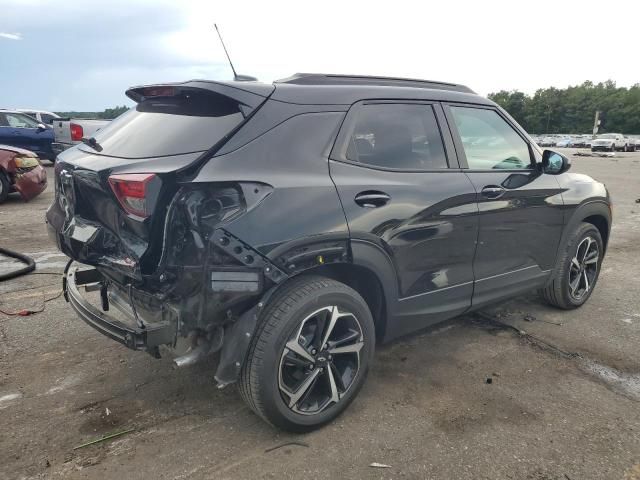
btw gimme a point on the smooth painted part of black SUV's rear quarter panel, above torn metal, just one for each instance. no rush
(304, 202)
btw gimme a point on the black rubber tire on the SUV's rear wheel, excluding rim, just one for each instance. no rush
(280, 323)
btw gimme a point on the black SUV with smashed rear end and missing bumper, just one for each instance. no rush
(289, 227)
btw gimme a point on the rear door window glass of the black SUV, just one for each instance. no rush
(396, 136)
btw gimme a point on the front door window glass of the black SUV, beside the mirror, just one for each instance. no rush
(489, 142)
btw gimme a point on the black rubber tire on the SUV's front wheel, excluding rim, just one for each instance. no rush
(558, 291)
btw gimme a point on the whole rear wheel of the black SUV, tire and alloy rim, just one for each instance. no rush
(310, 355)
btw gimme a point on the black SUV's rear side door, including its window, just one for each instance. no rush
(402, 191)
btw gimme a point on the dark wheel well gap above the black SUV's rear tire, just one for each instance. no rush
(363, 281)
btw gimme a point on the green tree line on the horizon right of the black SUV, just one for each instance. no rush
(572, 109)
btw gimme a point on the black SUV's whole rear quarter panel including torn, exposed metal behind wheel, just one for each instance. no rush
(223, 225)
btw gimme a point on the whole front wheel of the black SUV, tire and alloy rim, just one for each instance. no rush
(577, 271)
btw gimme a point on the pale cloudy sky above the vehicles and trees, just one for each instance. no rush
(58, 55)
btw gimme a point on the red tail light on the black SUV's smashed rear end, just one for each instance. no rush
(134, 192)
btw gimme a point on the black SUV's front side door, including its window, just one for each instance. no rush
(520, 208)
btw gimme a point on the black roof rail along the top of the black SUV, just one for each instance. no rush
(332, 79)
